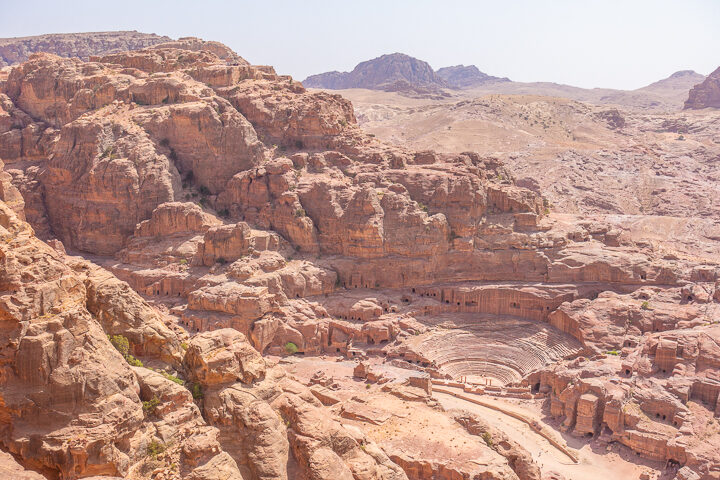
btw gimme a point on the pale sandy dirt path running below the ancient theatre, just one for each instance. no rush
(595, 462)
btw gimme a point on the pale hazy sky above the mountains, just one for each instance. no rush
(589, 43)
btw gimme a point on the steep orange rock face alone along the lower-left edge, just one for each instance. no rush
(60, 376)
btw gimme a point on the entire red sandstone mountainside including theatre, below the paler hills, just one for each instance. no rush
(209, 272)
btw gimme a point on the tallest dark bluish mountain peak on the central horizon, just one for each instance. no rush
(393, 72)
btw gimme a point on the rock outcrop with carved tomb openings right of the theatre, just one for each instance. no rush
(662, 357)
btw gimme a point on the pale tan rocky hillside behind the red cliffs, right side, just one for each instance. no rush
(577, 154)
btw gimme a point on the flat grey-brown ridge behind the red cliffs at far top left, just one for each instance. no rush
(78, 45)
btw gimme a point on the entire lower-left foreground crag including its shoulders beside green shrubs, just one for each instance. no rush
(71, 406)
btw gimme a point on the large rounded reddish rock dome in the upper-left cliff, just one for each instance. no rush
(99, 173)
